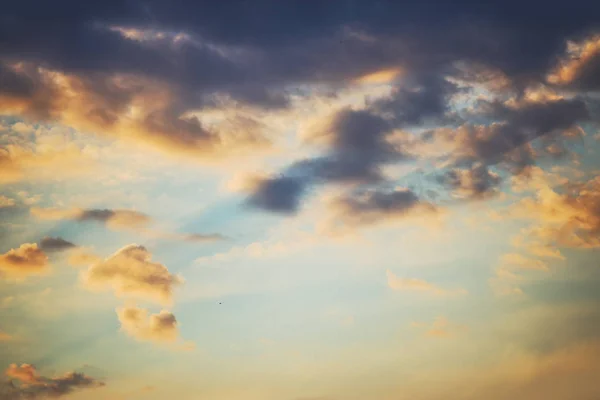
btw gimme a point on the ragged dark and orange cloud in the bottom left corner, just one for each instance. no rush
(34, 386)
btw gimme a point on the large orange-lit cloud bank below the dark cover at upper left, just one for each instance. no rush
(127, 107)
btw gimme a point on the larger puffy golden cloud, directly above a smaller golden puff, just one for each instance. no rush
(130, 273)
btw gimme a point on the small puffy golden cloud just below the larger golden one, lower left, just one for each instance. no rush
(139, 324)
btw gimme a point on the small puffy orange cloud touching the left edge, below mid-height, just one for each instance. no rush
(28, 259)
